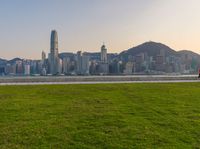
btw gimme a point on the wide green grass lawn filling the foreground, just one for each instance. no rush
(100, 116)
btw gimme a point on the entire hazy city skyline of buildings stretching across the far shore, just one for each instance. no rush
(101, 63)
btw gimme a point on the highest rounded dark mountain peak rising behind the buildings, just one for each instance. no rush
(151, 48)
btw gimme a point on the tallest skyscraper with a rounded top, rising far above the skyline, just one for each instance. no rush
(53, 56)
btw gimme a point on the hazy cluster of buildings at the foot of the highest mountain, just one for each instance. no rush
(142, 63)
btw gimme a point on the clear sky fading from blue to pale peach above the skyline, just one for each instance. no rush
(25, 25)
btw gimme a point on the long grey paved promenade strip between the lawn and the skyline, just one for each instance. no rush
(39, 80)
